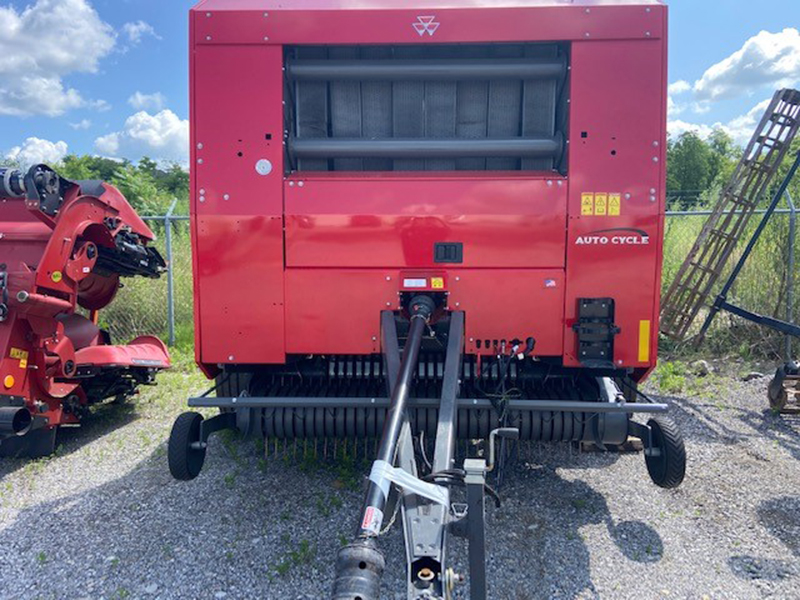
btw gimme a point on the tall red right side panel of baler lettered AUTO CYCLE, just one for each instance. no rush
(618, 148)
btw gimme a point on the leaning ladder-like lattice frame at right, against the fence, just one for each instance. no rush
(722, 231)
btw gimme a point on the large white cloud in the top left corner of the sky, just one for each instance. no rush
(43, 43)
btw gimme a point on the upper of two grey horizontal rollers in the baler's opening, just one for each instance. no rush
(426, 70)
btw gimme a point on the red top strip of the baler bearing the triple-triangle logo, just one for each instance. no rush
(393, 23)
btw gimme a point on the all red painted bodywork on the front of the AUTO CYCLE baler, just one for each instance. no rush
(284, 268)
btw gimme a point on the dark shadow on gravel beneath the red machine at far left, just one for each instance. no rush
(104, 419)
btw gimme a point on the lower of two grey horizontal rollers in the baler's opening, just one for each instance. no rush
(426, 147)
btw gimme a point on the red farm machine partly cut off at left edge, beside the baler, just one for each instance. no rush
(63, 247)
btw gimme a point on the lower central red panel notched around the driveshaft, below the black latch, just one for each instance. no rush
(337, 311)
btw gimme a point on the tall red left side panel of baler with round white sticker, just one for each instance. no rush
(238, 212)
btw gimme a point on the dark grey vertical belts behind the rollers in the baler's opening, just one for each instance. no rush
(497, 108)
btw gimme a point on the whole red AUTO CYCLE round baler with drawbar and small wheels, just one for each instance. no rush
(434, 220)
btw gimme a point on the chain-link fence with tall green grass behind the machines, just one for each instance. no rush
(165, 308)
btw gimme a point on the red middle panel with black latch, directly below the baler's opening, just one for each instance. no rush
(395, 222)
